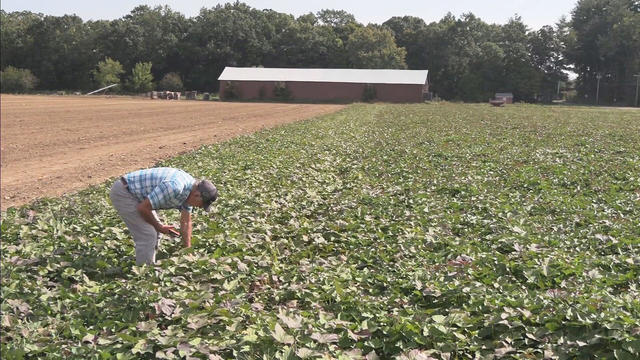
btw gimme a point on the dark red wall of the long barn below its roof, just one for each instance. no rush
(320, 91)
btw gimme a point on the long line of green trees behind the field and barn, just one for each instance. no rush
(468, 59)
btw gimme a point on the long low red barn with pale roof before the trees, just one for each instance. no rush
(324, 84)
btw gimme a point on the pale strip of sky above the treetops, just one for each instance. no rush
(534, 13)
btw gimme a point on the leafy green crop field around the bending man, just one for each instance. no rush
(432, 231)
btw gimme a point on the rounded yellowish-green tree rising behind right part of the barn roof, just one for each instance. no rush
(373, 47)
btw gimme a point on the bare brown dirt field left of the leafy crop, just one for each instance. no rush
(53, 145)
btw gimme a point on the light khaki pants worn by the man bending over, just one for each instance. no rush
(145, 236)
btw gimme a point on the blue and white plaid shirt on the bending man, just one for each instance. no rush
(166, 188)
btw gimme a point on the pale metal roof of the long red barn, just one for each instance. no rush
(367, 76)
